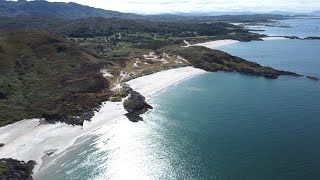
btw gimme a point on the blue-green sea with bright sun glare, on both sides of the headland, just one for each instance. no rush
(216, 126)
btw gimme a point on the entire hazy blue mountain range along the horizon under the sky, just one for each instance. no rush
(42, 8)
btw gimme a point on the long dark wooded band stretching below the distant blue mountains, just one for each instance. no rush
(93, 27)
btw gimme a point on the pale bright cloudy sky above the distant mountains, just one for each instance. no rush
(173, 6)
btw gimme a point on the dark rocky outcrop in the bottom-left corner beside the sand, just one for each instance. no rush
(12, 169)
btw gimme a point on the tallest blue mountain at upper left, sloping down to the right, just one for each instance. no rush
(58, 9)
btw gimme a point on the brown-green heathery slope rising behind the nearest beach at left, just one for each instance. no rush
(44, 75)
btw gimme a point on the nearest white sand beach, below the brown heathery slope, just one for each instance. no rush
(29, 139)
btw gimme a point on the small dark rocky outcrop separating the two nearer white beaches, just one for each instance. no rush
(135, 105)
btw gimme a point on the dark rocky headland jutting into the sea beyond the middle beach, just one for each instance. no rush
(215, 60)
